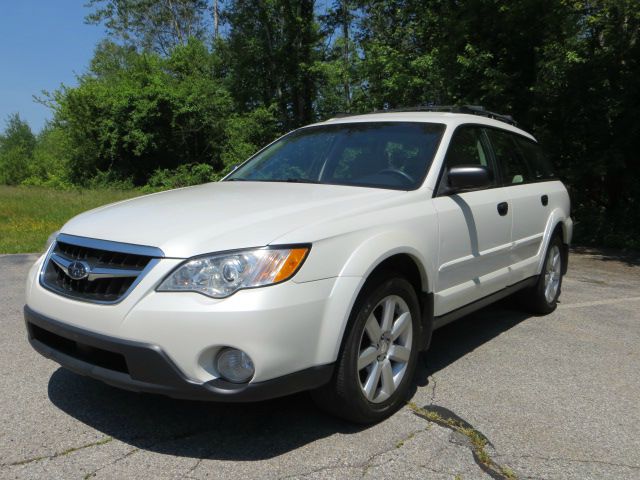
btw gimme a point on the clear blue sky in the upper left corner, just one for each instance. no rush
(43, 43)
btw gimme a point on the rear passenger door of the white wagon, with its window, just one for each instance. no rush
(528, 199)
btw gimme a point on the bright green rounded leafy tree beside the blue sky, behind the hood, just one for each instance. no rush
(150, 112)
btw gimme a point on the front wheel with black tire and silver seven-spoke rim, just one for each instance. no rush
(377, 361)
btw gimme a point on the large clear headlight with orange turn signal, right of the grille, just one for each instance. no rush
(221, 275)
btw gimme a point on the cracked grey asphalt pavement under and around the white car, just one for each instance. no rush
(557, 397)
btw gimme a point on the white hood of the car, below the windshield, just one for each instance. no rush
(222, 216)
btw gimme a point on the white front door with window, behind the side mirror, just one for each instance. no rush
(474, 229)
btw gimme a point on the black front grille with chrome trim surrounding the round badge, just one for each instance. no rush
(112, 268)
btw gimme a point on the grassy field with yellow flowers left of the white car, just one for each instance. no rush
(28, 215)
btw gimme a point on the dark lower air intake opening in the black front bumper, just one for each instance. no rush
(86, 353)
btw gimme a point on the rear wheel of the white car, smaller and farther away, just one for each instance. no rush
(542, 298)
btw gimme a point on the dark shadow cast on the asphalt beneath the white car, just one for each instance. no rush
(253, 431)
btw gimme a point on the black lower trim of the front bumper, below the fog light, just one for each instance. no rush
(143, 367)
